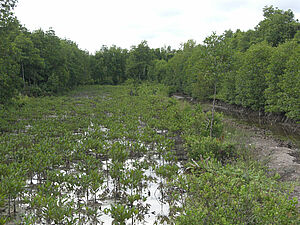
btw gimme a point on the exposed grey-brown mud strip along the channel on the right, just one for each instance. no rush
(282, 157)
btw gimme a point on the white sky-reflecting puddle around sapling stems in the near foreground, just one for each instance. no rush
(153, 205)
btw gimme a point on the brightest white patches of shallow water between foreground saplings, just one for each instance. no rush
(157, 207)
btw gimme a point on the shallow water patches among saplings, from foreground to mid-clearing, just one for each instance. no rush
(155, 204)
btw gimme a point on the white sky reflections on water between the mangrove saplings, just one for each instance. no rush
(156, 206)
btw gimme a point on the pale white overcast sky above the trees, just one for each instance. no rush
(93, 23)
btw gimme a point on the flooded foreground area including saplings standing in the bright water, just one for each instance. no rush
(119, 181)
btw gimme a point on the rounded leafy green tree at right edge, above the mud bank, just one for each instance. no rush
(283, 80)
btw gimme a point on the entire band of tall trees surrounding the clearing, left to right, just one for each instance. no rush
(258, 68)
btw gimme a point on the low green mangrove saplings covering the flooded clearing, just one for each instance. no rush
(72, 144)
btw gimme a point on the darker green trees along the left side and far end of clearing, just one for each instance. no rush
(40, 63)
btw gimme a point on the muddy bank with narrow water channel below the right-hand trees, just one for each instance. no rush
(275, 144)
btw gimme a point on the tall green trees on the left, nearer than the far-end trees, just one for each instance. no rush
(37, 63)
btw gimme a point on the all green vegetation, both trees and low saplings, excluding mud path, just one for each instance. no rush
(97, 150)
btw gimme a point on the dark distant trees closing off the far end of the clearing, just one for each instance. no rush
(115, 65)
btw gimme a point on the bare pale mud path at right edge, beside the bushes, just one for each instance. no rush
(280, 156)
